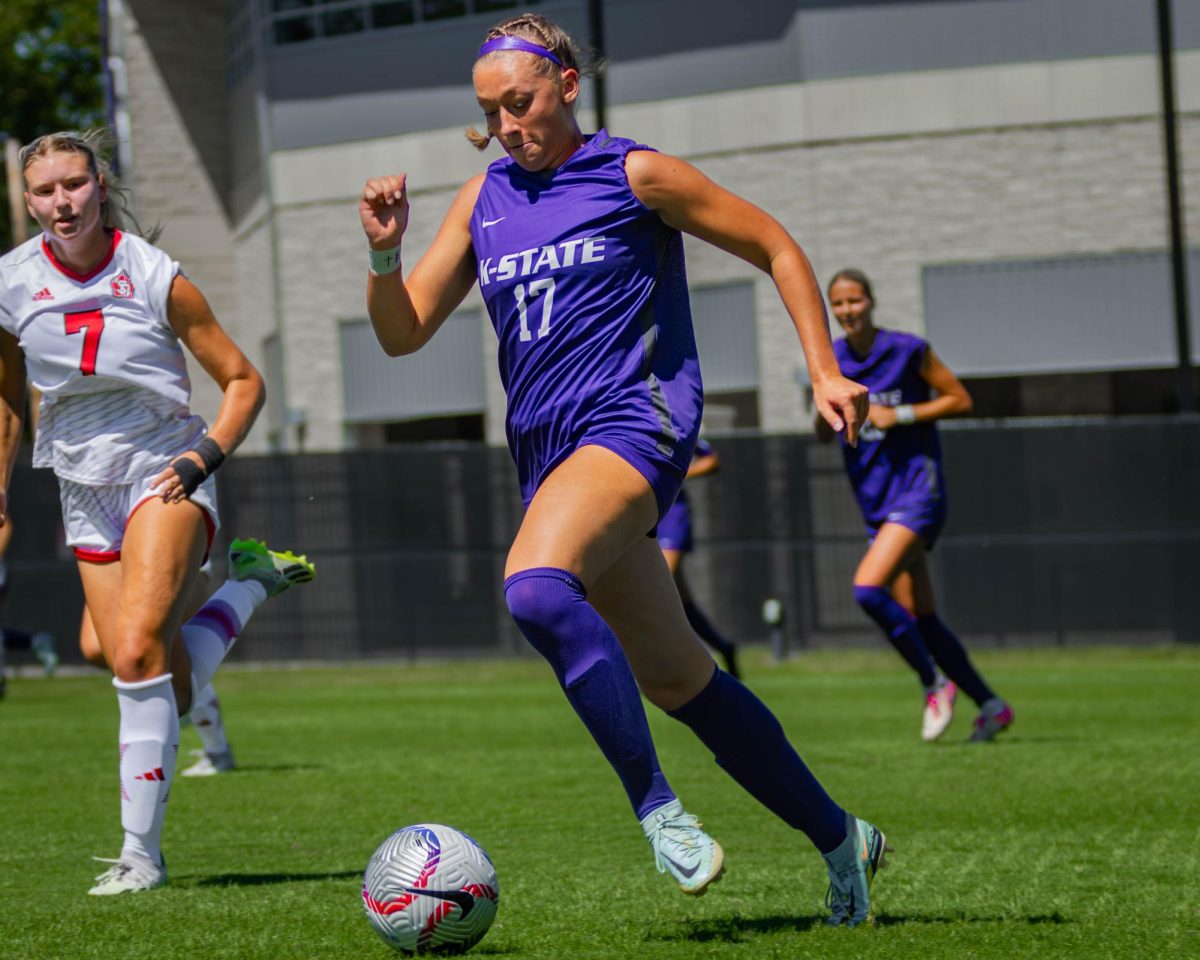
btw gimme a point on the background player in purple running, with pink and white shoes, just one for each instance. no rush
(897, 475)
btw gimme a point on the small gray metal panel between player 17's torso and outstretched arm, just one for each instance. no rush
(727, 337)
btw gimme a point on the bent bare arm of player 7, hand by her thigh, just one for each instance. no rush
(242, 386)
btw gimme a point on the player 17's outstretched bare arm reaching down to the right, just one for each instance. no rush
(688, 201)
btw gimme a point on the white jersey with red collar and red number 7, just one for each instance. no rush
(103, 353)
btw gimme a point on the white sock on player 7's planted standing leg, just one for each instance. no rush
(149, 741)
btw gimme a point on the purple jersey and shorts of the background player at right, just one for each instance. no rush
(892, 472)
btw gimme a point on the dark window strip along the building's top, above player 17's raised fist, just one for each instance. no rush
(303, 21)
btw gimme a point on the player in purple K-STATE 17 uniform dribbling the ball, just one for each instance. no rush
(575, 243)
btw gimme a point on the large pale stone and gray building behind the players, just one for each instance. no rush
(997, 166)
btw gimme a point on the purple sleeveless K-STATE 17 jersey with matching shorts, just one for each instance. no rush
(587, 292)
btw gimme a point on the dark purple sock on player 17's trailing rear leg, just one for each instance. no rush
(751, 746)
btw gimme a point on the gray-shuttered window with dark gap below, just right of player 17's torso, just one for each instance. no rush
(728, 343)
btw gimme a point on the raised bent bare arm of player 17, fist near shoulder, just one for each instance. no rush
(406, 313)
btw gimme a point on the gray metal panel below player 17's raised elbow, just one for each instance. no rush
(446, 377)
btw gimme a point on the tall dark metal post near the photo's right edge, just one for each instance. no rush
(1175, 208)
